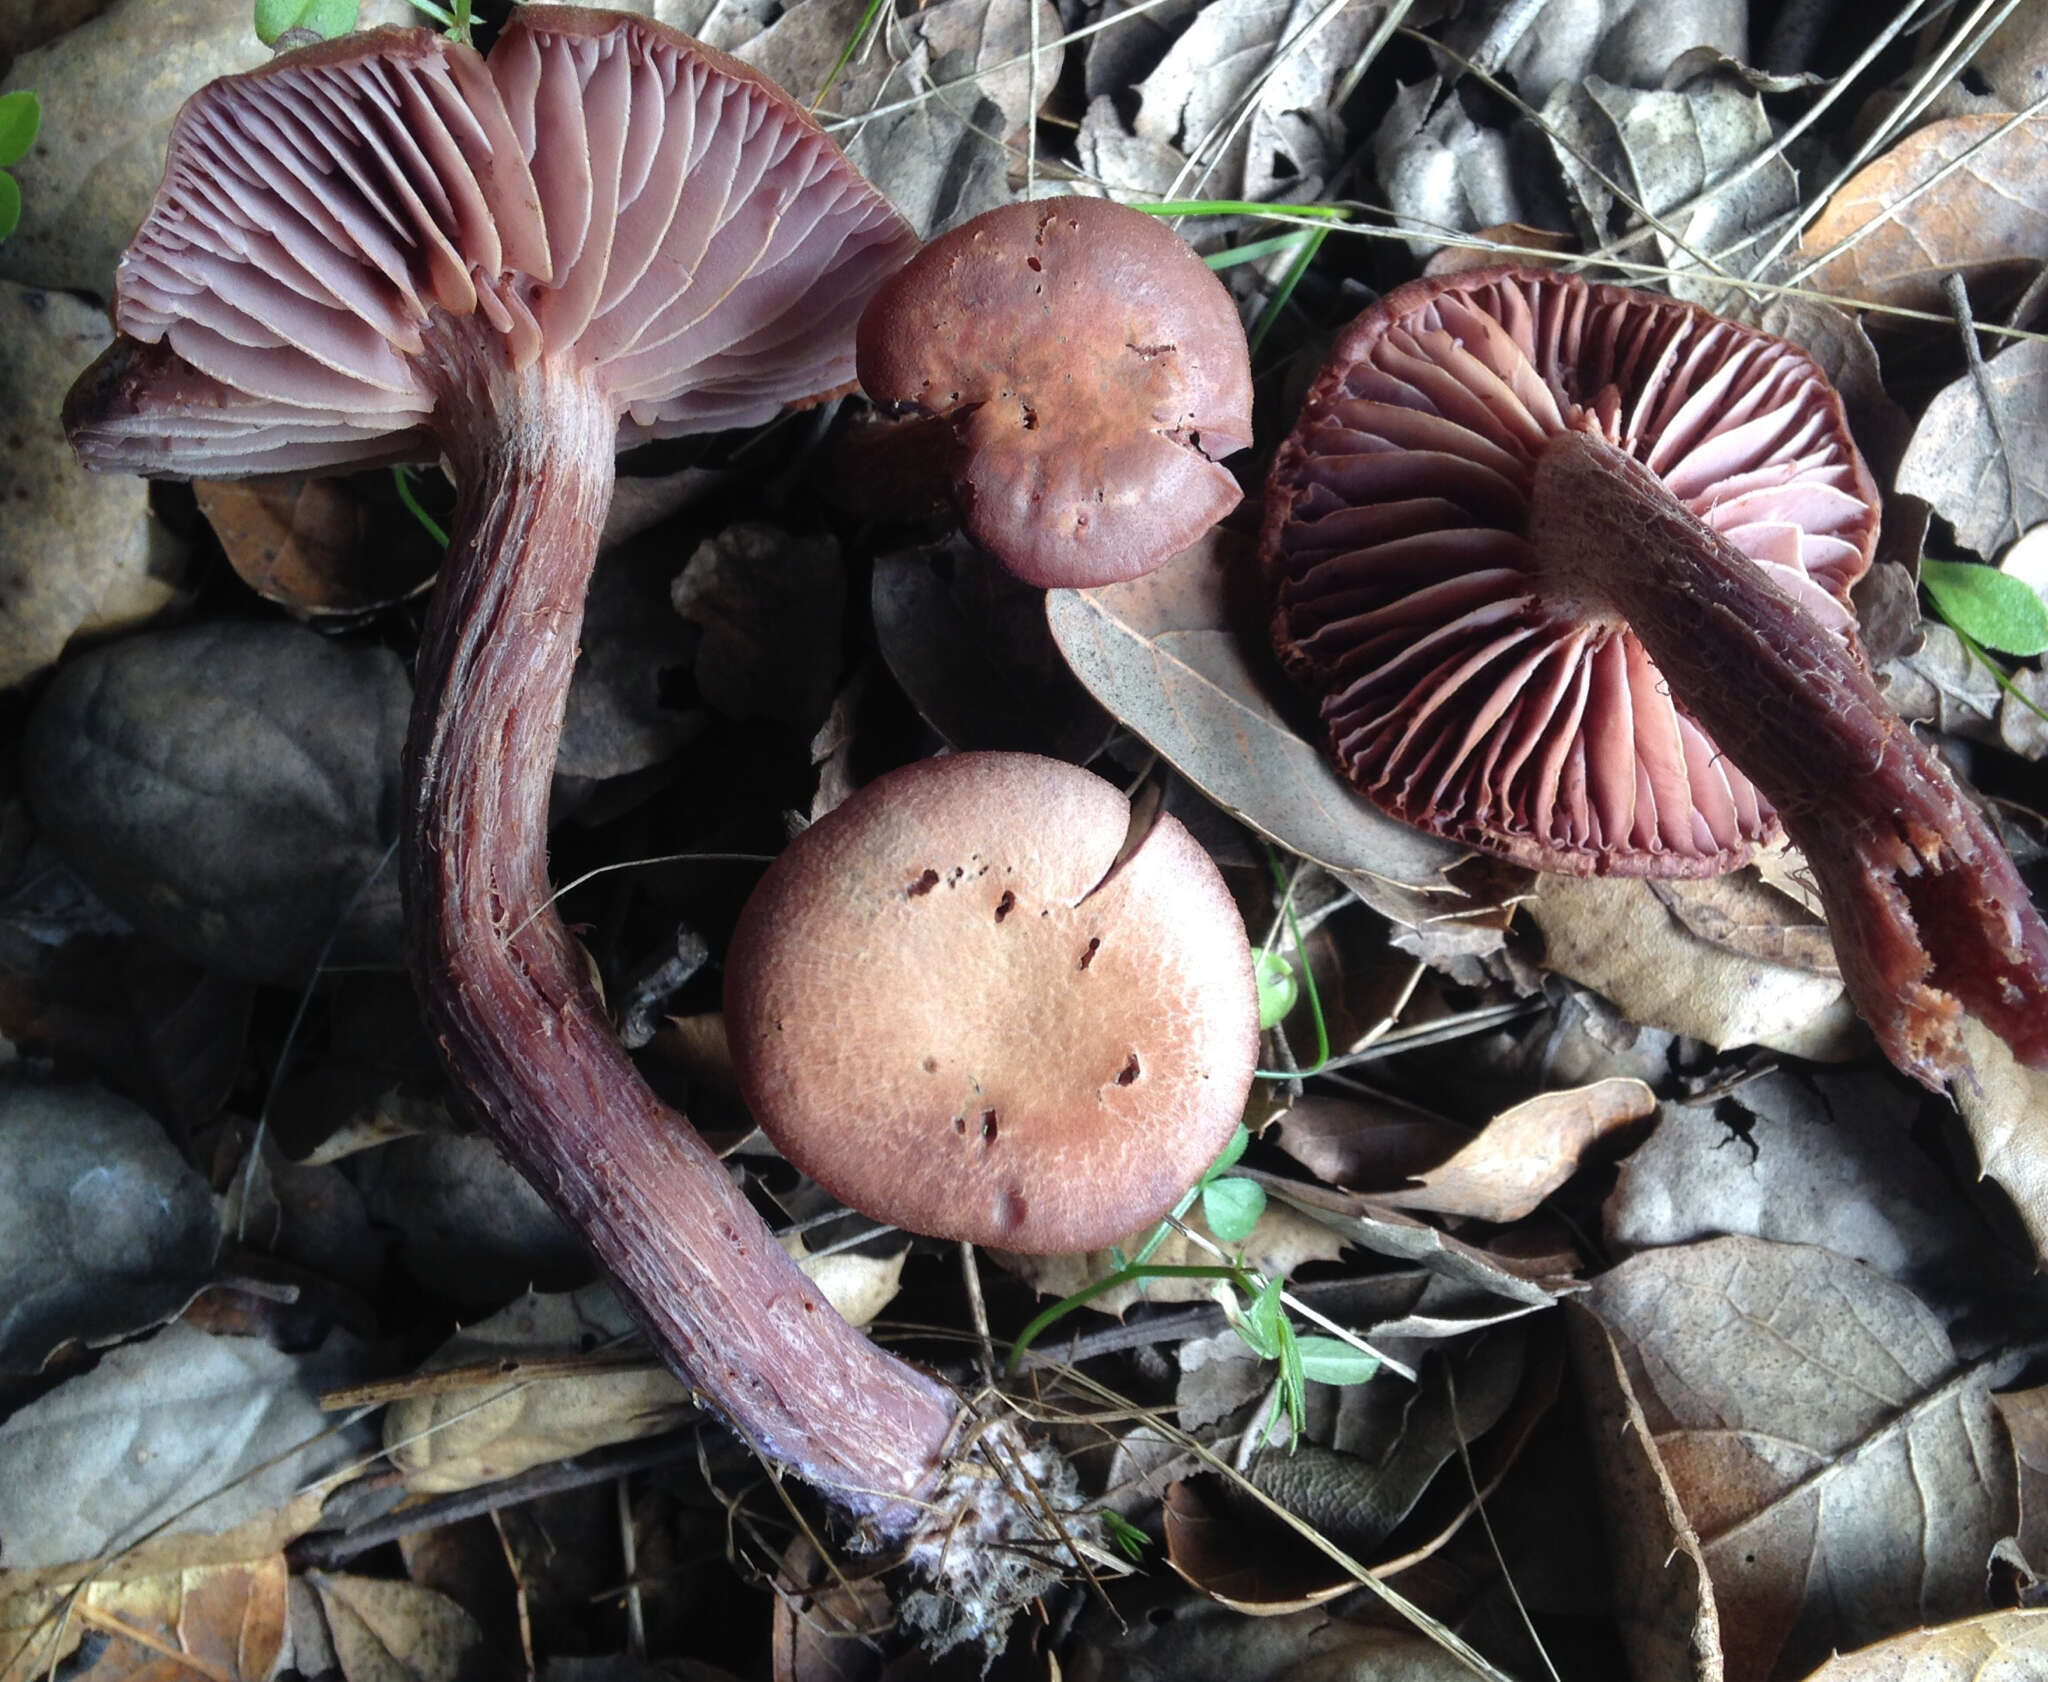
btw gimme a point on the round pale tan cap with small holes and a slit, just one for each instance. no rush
(959, 1011)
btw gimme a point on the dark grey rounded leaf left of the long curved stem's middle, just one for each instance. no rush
(230, 788)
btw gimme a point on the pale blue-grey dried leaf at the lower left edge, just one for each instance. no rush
(161, 1425)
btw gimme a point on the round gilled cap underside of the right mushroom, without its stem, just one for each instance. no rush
(1467, 693)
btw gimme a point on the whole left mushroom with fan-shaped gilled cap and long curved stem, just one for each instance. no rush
(388, 249)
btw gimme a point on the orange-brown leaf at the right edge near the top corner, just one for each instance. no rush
(1981, 220)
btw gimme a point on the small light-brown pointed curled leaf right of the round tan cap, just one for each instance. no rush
(1527, 1152)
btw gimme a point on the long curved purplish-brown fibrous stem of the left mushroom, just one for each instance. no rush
(509, 991)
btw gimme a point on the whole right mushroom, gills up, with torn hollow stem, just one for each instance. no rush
(1568, 566)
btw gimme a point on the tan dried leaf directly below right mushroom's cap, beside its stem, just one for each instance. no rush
(1617, 937)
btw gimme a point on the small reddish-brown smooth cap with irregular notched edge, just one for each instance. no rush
(1095, 374)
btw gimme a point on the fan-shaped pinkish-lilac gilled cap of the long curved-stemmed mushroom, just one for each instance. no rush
(339, 230)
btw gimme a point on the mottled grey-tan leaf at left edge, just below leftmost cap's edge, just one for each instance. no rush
(77, 550)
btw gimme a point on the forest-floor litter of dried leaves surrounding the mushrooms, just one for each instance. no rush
(1801, 1324)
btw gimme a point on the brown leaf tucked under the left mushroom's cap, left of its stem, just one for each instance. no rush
(308, 544)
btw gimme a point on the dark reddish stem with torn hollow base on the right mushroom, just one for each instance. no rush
(1928, 915)
